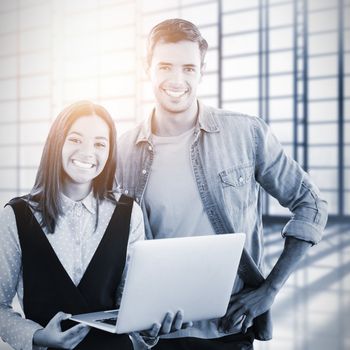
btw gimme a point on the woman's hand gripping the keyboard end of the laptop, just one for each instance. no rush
(53, 337)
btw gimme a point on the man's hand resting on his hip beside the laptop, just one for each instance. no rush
(249, 303)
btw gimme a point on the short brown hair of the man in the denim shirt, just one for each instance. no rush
(172, 31)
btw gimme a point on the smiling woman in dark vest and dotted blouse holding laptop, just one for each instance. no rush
(63, 246)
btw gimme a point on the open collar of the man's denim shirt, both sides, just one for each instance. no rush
(206, 122)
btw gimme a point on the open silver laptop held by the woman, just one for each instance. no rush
(193, 274)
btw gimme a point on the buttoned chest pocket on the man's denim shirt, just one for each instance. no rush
(238, 186)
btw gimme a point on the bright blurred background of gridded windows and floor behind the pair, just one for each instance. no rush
(283, 60)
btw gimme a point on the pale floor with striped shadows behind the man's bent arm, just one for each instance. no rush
(312, 311)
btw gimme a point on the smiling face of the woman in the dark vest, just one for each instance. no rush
(85, 150)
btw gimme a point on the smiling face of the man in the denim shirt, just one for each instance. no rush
(175, 72)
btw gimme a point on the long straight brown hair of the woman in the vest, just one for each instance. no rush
(44, 195)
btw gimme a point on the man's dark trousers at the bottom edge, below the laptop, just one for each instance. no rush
(230, 342)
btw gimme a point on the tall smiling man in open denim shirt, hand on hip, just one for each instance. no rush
(199, 170)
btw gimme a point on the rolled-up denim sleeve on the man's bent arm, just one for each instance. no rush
(284, 179)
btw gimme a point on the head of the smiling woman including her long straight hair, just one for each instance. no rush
(82, 134)
